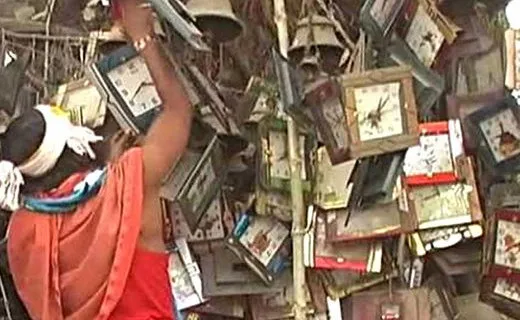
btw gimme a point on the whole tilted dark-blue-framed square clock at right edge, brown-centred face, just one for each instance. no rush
(497, 131)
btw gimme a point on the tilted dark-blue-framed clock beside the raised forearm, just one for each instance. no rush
(124, 80)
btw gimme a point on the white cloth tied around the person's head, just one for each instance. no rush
(59, 133)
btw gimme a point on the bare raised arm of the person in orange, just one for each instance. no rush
(167, 138)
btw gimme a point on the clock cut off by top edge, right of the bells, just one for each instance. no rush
(378, 16)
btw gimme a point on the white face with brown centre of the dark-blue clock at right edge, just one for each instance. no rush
(502, 133)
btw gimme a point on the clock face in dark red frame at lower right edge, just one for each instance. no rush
(507, 247)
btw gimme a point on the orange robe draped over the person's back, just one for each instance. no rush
(74, 266)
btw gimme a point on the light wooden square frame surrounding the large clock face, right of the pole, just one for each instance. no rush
(409, 123)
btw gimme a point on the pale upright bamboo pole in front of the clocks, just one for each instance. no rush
(298, 210)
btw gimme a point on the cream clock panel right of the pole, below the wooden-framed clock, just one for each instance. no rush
(331, 188)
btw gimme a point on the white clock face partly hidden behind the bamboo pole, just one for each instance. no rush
(279, 156)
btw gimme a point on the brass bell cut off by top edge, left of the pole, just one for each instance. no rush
(216, 17)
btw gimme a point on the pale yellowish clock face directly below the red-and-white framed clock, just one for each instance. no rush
(442, 202)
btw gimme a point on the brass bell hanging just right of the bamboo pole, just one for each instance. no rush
(323, 39)
